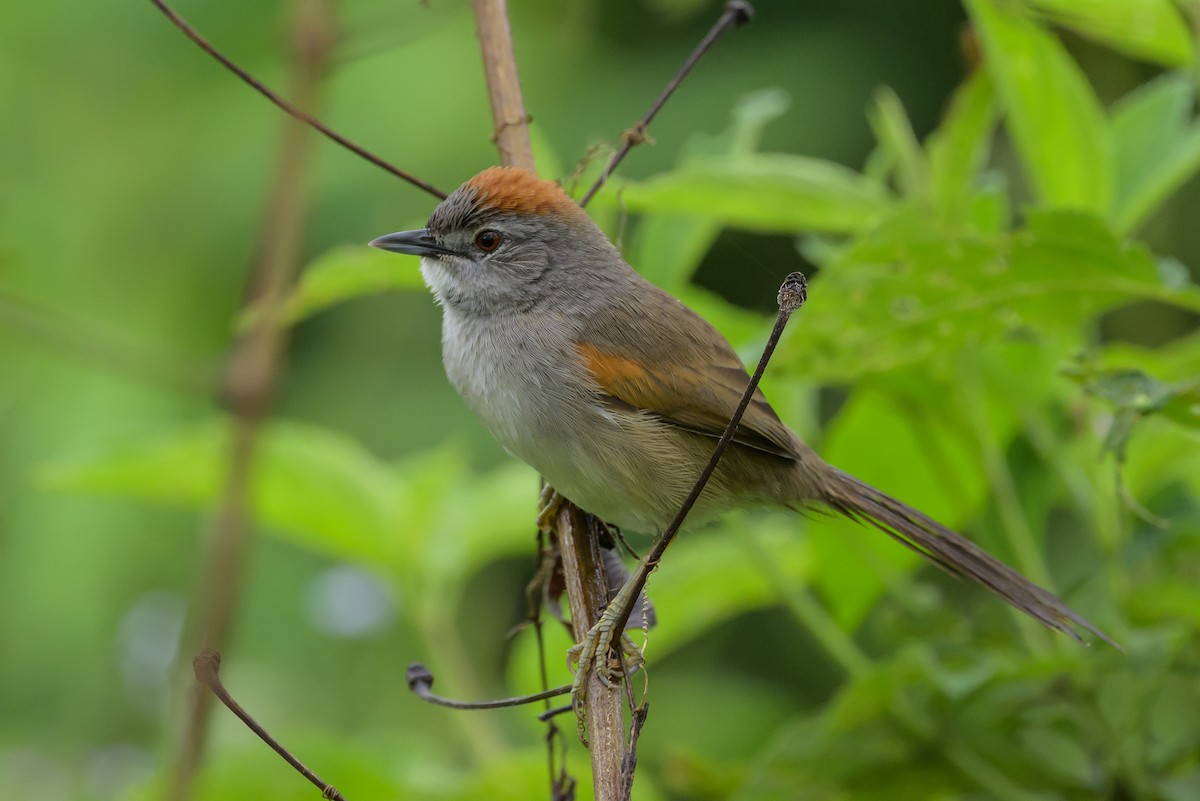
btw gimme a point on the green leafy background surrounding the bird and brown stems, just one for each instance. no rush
(1001, 332)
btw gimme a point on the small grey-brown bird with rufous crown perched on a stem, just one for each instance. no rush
(616, 393)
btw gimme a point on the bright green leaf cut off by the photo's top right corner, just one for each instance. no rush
(1154, 31)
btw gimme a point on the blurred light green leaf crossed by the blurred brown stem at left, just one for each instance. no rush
(319, 489)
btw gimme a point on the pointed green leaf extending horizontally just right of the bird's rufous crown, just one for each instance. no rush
(770, 194)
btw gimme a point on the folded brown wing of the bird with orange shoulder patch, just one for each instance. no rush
(680, 369)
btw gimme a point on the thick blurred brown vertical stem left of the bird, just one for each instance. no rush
(254, 374)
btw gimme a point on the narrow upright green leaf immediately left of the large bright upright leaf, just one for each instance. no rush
(959, 148)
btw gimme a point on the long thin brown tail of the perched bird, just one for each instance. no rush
(951, 552)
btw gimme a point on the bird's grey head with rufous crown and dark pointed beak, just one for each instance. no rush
(507, 242)
